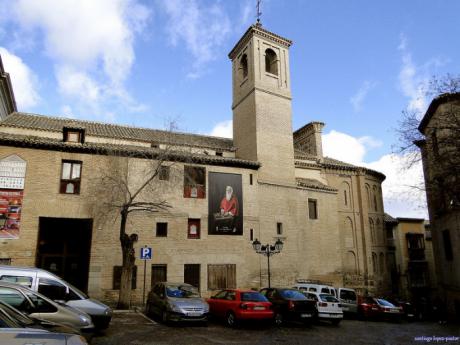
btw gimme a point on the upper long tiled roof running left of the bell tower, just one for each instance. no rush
(92, 128)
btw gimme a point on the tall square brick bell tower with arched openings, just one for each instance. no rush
(262, 124)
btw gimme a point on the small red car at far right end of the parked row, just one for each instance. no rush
(371, 307)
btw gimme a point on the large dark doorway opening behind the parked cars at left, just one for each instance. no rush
(64, 246)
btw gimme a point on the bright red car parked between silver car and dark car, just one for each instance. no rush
(236, 305)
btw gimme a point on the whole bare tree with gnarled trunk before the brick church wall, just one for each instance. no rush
(128, 184)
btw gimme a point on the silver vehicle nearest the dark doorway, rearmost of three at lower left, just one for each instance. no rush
(57, 289)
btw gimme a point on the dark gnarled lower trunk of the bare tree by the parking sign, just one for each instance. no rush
(129, 257)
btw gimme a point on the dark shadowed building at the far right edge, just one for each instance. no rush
(441, 167)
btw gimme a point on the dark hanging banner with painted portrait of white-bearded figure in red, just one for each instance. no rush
(225, 204)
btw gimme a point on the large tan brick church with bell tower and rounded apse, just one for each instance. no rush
(329, 214)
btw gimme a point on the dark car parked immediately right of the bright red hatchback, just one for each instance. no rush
(290, 305)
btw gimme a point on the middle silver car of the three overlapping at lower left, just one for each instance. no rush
(38, 306)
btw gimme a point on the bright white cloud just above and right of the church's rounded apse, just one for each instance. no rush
(402, 193)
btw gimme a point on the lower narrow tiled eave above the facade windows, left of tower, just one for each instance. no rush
(122, 150)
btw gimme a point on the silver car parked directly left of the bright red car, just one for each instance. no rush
(177, 302)
